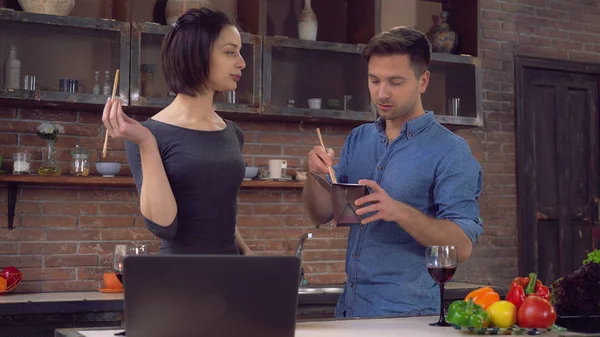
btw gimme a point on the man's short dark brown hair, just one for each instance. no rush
(403, 41)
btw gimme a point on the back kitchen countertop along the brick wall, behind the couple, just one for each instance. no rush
(95, 301)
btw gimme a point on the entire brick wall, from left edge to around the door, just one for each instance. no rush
(65, 237)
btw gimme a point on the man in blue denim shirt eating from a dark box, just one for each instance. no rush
(424, 181)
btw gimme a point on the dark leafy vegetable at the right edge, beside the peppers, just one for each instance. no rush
(578, 293)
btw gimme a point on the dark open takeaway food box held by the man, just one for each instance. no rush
(343, 196)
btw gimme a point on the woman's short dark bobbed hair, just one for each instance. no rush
(186, 49)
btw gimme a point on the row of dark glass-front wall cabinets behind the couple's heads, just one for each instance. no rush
(286, 78)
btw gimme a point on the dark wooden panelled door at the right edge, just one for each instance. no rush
(557, 165)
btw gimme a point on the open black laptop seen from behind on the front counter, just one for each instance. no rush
(210, 295)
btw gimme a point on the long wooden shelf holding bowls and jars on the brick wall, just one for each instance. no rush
(14, 181)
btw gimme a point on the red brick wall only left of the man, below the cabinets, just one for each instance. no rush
(65, 236)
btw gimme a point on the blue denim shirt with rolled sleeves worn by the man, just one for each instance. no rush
(427, 167)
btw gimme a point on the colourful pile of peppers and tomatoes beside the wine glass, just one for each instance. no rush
(526, 305)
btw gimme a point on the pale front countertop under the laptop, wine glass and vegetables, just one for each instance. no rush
(380, 327)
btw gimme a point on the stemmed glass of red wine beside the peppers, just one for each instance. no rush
(442, 262)
